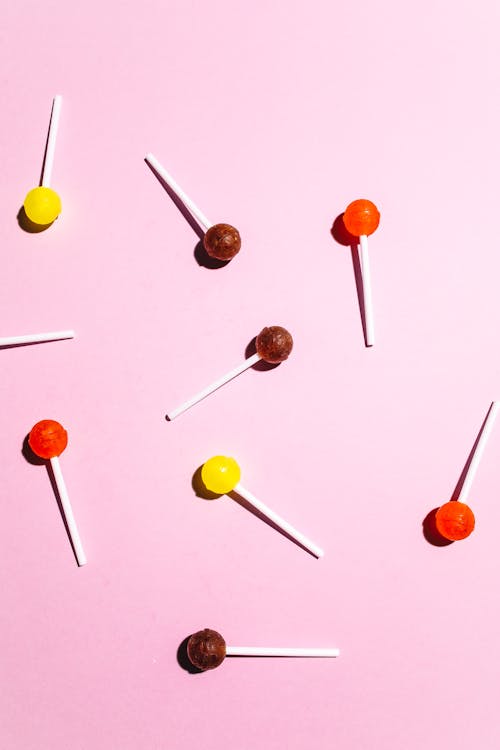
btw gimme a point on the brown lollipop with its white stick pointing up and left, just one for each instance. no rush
(221, 241)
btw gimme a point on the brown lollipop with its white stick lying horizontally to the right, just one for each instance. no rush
(207, 649)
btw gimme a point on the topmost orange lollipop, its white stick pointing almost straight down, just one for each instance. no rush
(361, 218)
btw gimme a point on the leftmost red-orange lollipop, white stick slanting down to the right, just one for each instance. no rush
(48, 439)
